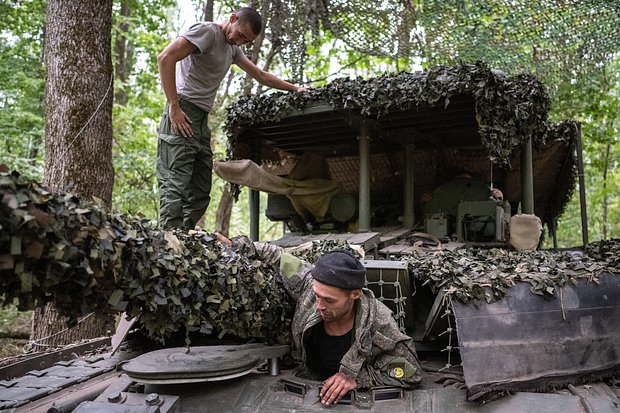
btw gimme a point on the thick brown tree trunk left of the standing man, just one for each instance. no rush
(78, 128)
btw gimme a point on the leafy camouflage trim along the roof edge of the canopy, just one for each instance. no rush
(509, 110)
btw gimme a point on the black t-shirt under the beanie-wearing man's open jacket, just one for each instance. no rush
(324, 352)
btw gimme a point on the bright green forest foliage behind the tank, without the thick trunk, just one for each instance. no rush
(572, 46)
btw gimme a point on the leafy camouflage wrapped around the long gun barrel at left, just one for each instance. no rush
(55, 248)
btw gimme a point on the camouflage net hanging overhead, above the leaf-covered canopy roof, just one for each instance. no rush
(549, 38)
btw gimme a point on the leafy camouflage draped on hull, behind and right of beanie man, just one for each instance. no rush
(472, 275)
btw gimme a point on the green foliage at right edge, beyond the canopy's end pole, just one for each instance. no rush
(593, 99)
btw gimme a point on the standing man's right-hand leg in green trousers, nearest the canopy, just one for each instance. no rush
(200, 183)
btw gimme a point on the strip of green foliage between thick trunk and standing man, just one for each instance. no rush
(145, 28)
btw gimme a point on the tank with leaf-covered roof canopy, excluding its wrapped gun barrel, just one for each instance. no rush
(400, 167)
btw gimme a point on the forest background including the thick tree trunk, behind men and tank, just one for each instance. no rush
(571, 45)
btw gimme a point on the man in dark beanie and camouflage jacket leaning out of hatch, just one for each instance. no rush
(342, 334)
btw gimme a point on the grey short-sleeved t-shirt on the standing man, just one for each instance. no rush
(201, 73)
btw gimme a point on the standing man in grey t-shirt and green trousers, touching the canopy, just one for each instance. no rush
(184, 158)
